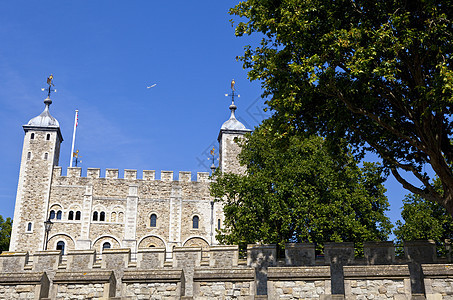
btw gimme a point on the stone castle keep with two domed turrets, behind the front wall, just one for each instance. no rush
(104, 213)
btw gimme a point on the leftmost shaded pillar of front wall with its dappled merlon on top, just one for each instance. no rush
(261, 257)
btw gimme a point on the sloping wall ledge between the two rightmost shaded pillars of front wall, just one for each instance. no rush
(378, 271)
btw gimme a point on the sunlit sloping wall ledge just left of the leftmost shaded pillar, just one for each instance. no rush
(230, 274)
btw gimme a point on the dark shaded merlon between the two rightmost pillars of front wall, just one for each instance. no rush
(379, 253)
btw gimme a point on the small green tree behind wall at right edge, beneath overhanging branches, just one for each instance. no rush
(424, 220)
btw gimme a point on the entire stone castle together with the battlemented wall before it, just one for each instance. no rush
(144, 238)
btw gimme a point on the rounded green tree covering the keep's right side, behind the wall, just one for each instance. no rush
(295, 191)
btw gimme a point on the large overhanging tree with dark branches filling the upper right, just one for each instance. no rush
(376, 73)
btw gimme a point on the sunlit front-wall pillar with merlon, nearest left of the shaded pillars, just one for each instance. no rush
(187, 258)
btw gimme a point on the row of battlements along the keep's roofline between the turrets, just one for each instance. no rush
(147, 175)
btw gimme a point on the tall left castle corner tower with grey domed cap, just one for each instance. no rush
(40, 153)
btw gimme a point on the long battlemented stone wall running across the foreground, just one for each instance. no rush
(218, 273)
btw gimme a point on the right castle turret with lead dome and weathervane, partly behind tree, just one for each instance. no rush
(230, 134)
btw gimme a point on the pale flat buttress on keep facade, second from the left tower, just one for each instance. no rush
(129, 240)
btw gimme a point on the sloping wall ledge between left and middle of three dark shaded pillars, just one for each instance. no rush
(298, 273)
